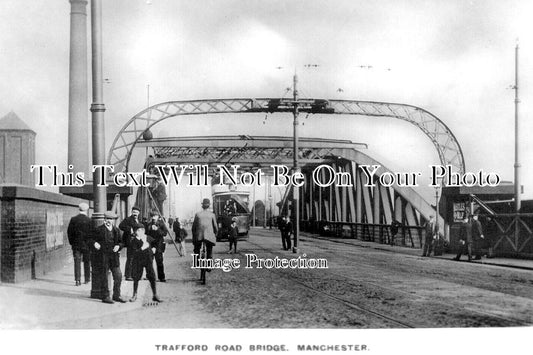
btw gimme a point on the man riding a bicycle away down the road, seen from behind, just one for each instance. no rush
(204, 229)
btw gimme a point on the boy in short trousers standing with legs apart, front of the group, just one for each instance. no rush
(143, 247)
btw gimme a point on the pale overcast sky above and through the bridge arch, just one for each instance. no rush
(452, 58)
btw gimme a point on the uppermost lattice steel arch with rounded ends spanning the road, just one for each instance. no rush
(441, 136)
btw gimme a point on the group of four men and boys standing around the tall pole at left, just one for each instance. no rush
(100, 248)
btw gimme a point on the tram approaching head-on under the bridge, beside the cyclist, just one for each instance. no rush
(229, 204)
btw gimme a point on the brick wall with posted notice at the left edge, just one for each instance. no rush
(25, 251)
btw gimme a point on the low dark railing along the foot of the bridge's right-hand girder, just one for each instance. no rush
(407, 236)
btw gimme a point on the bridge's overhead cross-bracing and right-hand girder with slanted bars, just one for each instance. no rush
(355, 204)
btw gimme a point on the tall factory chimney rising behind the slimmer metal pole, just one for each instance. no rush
(78, 114)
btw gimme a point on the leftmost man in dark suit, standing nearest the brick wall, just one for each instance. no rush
(79, 231)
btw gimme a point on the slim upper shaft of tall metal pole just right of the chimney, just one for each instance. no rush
(97, 110)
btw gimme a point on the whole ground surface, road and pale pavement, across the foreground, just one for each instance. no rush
(366, 285)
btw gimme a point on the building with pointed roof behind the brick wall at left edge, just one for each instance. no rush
(17, 151)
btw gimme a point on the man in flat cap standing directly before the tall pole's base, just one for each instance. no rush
(107, 244)
